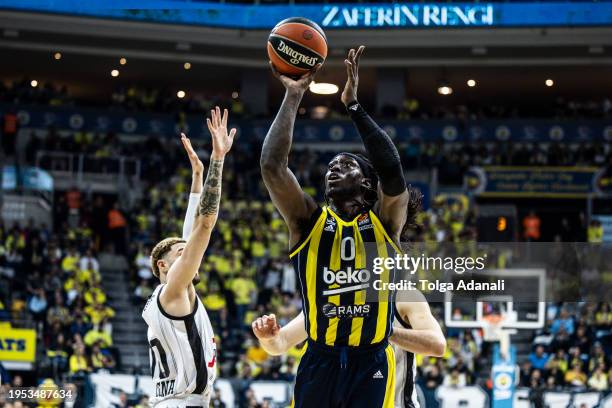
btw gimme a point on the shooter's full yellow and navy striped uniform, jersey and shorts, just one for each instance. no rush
(348, 361)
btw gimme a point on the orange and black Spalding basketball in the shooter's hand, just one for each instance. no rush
(296, 45)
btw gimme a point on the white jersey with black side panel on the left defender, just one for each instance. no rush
(182, 351)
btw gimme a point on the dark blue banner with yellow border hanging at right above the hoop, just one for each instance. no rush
(508, 181)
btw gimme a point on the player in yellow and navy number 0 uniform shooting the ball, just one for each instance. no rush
(349, 362)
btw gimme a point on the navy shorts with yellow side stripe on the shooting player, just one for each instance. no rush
(342, 377)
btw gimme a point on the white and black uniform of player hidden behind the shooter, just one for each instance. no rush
(405, 371)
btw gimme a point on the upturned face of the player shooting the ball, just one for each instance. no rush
(343, 178)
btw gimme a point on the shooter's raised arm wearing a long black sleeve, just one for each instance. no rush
(393, 194)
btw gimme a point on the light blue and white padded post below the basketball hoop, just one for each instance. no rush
(504, 378)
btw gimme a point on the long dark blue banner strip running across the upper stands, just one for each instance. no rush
(320, 131)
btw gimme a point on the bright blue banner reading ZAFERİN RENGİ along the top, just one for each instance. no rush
(391, 15)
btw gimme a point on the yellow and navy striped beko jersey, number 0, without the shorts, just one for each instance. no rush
(335, 245)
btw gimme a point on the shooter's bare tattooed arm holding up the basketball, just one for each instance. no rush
(294, 205)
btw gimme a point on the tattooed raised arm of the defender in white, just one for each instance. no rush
(182, 271)
